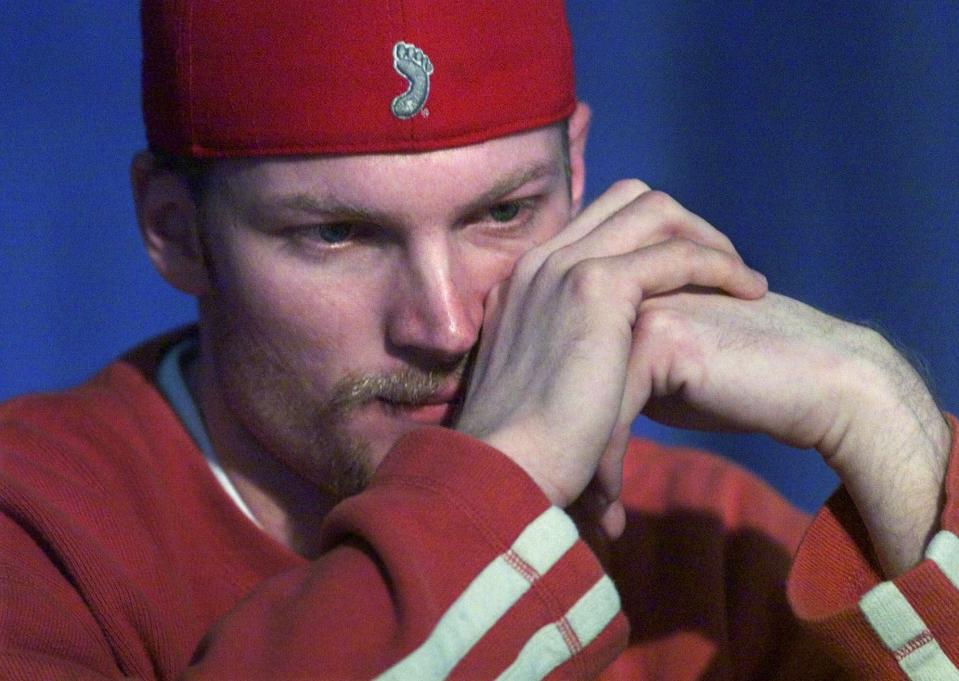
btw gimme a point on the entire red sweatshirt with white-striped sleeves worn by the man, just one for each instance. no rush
(121, 555)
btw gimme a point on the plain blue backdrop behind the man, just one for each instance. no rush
(822, 137)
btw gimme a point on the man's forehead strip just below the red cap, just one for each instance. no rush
(450, 175)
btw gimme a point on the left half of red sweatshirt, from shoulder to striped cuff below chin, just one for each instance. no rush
(120, 557)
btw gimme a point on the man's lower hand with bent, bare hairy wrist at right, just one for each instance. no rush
(776, 366)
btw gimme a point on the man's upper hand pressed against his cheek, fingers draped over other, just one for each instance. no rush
(548, 386)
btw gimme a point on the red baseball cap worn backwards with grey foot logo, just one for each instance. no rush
(225, 78)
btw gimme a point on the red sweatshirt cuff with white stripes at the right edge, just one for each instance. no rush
(904, 628)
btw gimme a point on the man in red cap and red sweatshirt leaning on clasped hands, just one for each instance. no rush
(415, 347)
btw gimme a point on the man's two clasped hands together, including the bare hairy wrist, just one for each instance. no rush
(639, 305)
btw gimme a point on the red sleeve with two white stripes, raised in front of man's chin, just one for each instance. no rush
(451, 563)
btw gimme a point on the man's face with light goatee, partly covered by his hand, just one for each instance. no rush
(349, 291)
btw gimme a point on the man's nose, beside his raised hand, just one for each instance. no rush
(436, 307)
